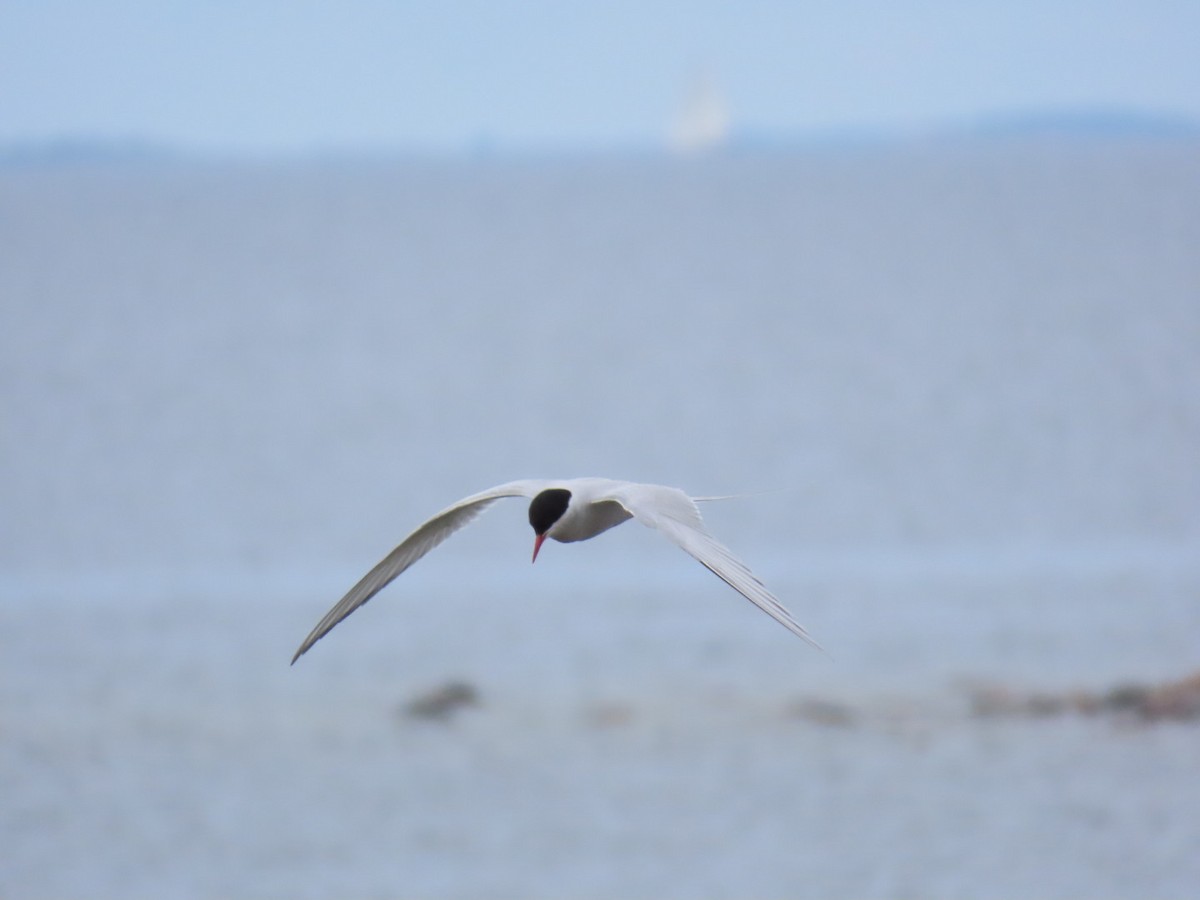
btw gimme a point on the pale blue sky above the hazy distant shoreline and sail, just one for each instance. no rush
(260, 77)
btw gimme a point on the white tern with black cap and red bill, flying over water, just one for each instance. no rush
(572, 511)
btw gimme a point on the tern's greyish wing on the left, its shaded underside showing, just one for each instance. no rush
(412, 549)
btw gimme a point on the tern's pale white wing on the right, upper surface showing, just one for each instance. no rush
(674, 513)
